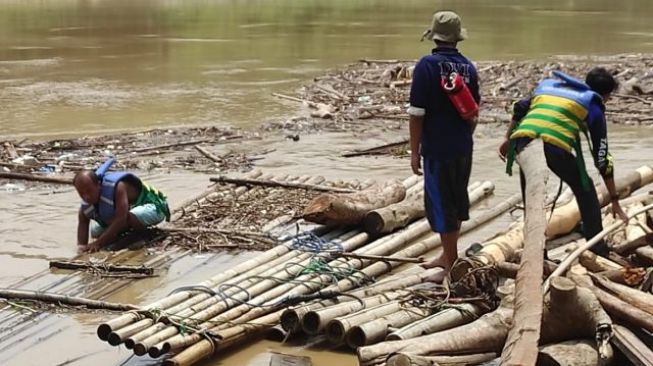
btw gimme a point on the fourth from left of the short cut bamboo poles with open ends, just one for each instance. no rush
(377, 329)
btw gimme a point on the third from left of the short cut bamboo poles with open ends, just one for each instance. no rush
(336, 330)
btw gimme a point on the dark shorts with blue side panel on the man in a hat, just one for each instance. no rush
(445, 192)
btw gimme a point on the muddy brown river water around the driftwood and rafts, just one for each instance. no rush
(76, 67)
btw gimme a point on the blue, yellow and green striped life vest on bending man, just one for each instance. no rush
(557, 112)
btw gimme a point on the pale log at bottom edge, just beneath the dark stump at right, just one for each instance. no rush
(577, 352)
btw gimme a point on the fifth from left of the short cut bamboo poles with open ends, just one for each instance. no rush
(443, 320)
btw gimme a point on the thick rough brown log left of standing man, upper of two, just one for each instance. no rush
(350, 209)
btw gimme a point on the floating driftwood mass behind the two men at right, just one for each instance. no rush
(373, 93)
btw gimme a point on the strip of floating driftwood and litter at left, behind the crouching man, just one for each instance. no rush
(180, 148)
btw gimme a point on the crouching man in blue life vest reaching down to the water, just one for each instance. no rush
(114, 203)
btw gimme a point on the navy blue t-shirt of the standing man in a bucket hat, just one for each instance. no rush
(445, 134)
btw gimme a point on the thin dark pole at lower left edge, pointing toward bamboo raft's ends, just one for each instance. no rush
(64, 299)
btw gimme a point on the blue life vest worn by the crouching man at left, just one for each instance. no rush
(104, 211)
